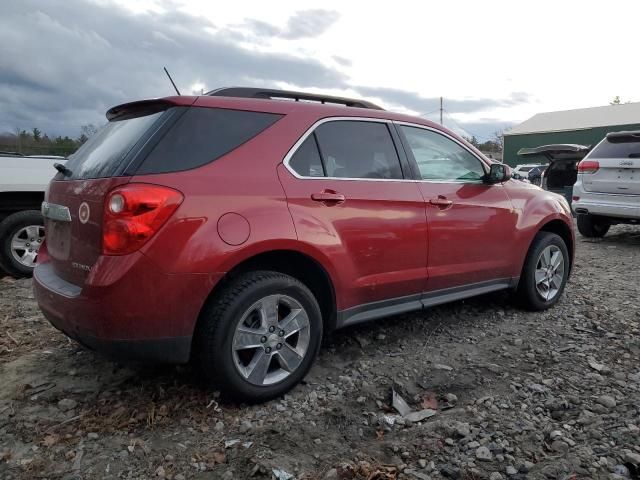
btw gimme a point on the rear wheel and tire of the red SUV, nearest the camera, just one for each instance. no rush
(259, 336)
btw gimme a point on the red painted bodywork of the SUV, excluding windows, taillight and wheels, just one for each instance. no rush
(386, 240)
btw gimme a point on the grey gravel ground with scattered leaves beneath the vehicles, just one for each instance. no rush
(493, 392)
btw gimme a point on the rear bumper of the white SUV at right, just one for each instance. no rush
(609, 205)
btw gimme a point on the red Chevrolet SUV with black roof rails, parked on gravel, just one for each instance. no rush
(234, 228)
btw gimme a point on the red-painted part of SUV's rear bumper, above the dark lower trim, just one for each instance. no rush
(127, 298)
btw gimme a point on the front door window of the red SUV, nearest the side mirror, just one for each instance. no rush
(440, 158)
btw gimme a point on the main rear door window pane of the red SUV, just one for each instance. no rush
(354, 149)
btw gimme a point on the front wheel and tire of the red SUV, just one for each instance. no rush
(545, 272)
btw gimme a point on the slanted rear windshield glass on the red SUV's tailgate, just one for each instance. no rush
(104, 152)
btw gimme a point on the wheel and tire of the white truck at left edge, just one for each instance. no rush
(21, 235)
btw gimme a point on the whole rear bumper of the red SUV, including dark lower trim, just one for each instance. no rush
(135, 312)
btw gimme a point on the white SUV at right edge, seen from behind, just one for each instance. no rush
(607, 191)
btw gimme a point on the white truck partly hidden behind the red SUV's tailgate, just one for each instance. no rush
(23, 182)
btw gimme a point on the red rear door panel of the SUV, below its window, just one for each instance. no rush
(376, 238)
